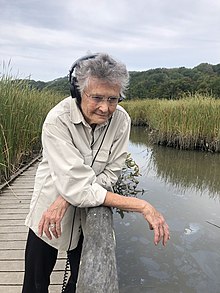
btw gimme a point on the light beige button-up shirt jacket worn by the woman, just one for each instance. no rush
(69, 146)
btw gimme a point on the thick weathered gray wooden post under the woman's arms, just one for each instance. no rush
(98, 271)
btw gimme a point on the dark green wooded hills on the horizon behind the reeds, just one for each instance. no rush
(159, 83)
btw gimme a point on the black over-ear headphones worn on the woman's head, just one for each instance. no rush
(75, 93)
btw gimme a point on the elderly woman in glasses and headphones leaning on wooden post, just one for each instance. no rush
(84, 140)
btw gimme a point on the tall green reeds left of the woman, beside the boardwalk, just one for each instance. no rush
(22, 112)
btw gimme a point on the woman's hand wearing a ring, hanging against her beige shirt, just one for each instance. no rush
(52, 217)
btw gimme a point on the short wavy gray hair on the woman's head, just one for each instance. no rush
(102, 67)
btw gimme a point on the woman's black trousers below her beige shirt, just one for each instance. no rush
(40, 259)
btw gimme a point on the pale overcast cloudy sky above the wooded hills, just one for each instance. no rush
(43, 38)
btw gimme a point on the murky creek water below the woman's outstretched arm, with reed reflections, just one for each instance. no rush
(185, 187)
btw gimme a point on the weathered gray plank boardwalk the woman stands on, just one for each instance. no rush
(14, 206)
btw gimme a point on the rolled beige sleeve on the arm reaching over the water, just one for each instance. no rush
(74, 180)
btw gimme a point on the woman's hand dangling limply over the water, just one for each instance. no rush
(157, 223)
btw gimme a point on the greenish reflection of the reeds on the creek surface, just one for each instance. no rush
(199, 171)
